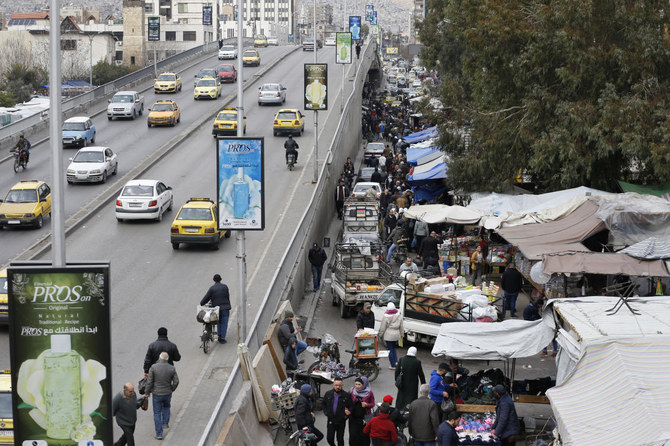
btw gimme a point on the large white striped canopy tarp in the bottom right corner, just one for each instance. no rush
(618, 393)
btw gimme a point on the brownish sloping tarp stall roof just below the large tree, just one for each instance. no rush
(560, 235)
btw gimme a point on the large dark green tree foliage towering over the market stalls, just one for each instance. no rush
(575, 92)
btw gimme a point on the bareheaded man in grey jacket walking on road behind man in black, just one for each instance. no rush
(162, 381)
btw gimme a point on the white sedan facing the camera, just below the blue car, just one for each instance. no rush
(92, 165)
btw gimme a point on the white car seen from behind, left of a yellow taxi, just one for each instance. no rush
(143, 199)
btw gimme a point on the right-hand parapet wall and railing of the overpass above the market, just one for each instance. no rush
(320, 206)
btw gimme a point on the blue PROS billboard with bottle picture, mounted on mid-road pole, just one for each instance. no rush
(240, 183)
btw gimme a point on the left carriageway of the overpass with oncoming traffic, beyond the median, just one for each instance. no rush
(132, 140)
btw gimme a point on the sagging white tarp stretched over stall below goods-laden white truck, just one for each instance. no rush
(512, 338)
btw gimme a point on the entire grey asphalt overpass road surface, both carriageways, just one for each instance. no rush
(151, 284)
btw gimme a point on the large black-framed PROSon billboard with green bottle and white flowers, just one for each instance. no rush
(59, 334)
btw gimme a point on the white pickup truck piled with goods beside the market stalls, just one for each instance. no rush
(423, 311)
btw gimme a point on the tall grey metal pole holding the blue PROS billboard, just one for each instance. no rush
(240, 237)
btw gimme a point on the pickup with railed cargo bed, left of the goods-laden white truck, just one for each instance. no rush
(358, 275)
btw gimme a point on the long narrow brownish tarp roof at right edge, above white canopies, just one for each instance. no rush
(601, 263)
